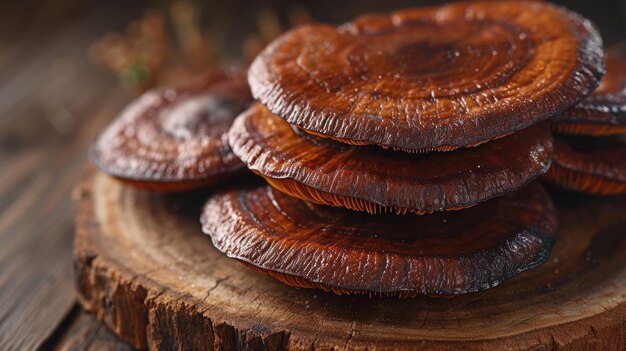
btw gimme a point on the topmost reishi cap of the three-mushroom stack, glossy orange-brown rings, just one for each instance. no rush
(437, 77)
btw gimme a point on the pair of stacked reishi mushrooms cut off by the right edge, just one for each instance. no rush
(590, 151)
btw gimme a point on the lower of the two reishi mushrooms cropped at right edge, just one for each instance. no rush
(590, 164)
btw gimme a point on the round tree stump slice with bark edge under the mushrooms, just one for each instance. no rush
(145, 269)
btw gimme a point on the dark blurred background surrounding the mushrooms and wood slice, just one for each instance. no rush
(66, 68)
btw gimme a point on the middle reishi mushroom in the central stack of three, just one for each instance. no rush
(371, 179)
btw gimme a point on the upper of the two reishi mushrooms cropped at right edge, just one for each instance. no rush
(604, 111)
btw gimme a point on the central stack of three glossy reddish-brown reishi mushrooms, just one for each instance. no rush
(400, 148)
